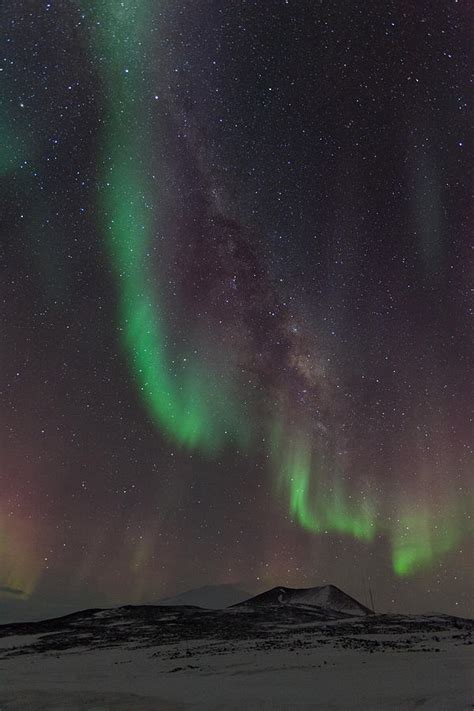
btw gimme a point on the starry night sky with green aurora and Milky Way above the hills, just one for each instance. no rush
(235, 300)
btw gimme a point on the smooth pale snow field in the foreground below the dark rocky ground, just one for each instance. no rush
(310, 679)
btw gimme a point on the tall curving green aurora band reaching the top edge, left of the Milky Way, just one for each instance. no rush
(187, 404)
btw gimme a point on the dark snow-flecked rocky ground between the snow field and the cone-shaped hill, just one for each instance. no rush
(262, 626)
